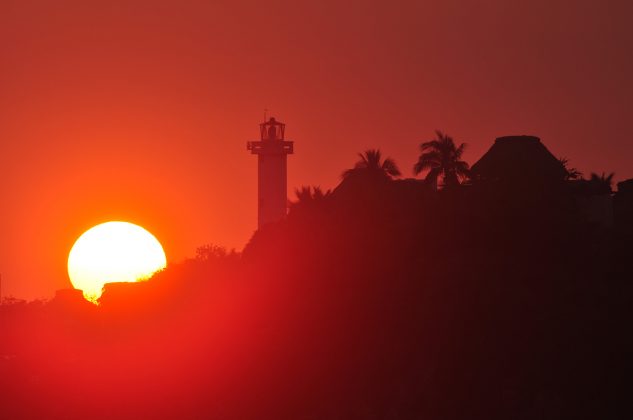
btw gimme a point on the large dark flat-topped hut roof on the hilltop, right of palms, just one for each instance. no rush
(518, 158)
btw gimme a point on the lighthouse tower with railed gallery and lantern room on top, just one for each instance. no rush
(272, 185)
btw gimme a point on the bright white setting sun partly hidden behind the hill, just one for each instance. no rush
(113, 252)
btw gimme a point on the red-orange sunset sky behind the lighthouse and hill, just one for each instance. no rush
(140, 110)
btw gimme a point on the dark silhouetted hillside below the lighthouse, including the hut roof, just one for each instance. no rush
(381, 299)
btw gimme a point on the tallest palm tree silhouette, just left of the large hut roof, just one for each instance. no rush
(443, 159)
